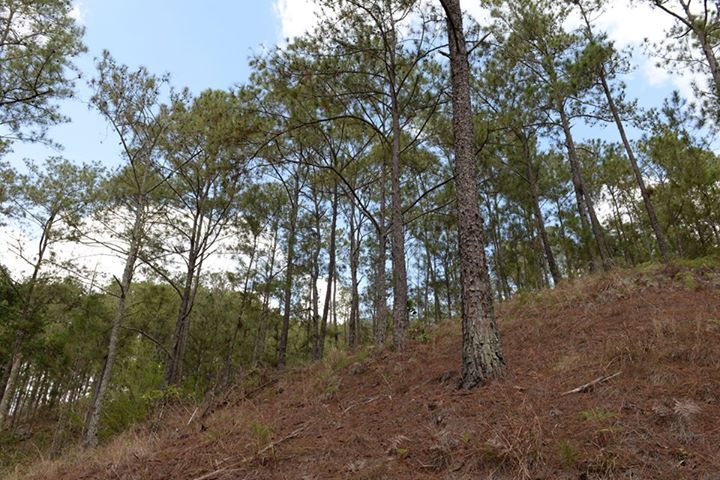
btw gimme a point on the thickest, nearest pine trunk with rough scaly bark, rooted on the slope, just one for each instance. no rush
(482, 357)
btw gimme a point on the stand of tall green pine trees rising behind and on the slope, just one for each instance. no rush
(400, 162)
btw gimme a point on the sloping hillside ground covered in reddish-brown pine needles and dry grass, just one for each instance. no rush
(388, 415)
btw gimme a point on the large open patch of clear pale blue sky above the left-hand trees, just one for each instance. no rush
(202, 44)
